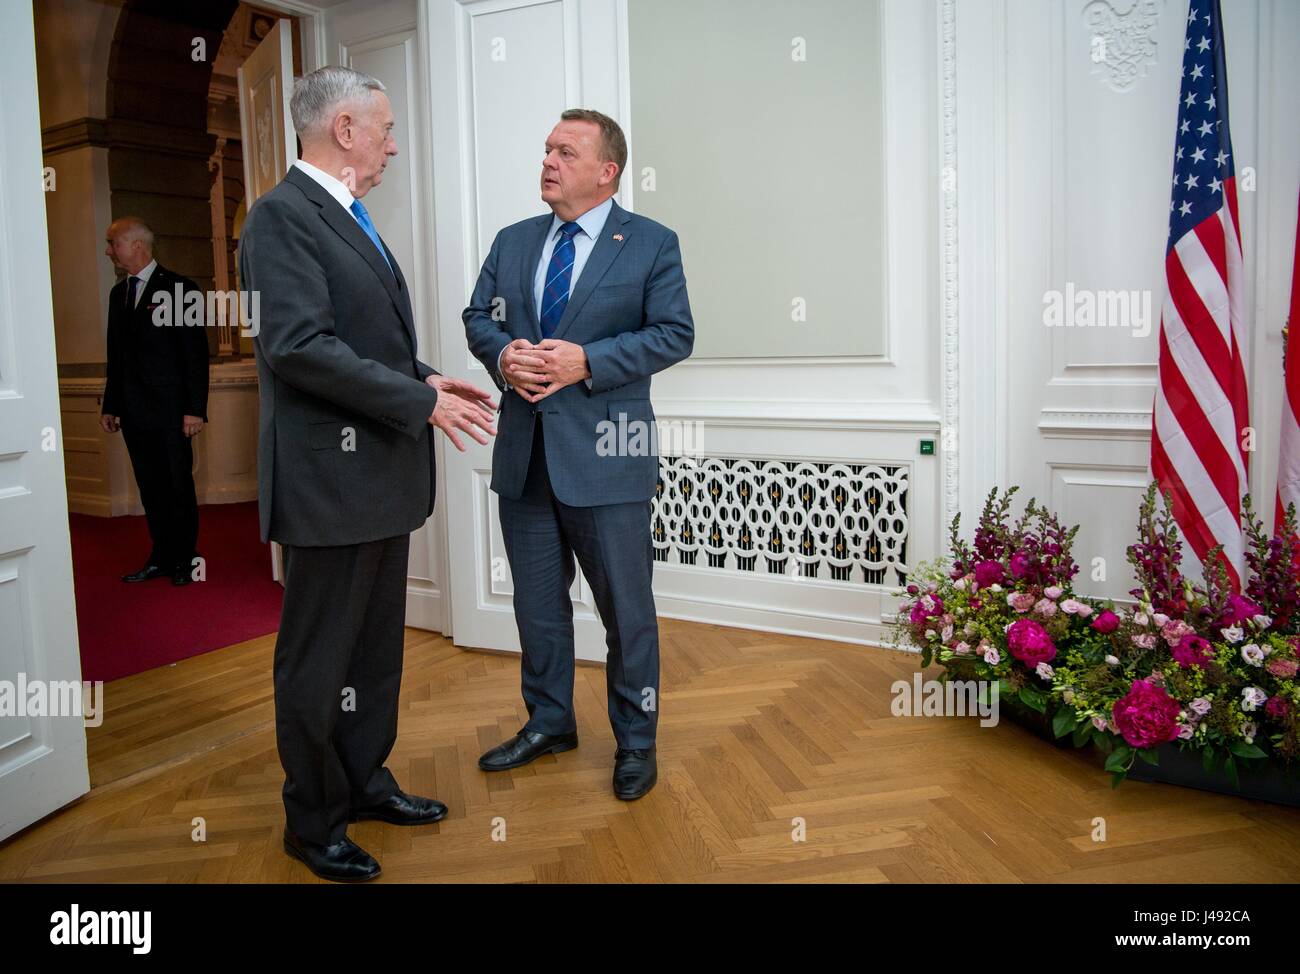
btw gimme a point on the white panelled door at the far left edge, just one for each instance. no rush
(42, 757)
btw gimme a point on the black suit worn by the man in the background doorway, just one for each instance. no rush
(158, 376)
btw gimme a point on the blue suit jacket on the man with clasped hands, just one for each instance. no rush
(630, 313)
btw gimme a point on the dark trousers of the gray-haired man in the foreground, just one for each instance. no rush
(339, 670)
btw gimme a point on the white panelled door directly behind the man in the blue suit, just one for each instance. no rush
(502, 72)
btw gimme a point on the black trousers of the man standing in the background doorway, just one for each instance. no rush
(163, 461)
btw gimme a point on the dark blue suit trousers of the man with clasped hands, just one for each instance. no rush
(614, 548)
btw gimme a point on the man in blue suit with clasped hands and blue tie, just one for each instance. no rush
(573, 314)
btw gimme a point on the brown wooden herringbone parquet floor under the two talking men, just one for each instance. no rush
(757, 731)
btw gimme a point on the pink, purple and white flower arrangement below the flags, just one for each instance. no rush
(1190, 664)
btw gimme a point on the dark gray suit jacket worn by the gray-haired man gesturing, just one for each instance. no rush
(345, 452)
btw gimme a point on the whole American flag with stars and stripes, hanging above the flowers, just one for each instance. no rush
(1199, 426)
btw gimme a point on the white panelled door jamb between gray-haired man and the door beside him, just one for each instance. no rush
(383, 38)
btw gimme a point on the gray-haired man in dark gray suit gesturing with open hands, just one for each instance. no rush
(345, 466)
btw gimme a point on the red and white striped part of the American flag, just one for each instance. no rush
(1202, 410)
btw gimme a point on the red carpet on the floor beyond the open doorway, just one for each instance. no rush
(127, 629)
